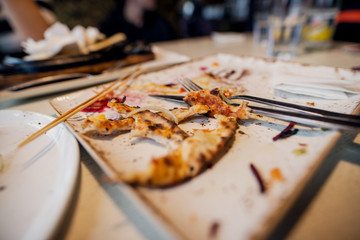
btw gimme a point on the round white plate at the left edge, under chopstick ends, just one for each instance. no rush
(36, 181)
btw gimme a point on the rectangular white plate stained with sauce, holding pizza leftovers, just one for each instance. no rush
(224, 201)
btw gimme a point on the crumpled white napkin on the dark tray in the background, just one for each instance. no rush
(57, 37)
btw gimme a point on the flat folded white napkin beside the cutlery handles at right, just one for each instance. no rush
(319, 82)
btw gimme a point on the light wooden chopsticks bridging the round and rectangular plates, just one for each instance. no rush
(73, 111)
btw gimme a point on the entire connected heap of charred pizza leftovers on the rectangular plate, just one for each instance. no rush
(188, 155)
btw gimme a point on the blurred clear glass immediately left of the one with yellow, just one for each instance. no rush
(285, 27)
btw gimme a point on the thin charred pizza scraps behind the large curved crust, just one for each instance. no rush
(157, 126)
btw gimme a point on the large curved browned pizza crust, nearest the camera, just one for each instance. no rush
(195, 154)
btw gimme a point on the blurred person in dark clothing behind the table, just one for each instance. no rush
(139, 20)
